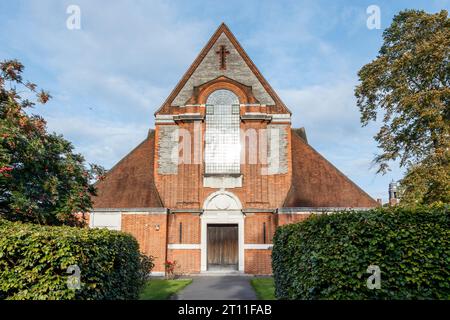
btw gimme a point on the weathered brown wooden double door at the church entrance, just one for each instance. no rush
(222, 246)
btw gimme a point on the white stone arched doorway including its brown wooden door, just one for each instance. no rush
(222, 233)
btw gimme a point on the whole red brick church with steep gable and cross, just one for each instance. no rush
(222, 169)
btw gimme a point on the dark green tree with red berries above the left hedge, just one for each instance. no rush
(41, 179)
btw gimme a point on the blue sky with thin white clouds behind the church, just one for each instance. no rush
(109, 77)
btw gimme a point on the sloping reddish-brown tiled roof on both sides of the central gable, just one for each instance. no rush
(315, 181)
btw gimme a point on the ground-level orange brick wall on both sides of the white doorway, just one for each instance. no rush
(153, 242)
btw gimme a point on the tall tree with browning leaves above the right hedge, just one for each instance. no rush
(407, 86)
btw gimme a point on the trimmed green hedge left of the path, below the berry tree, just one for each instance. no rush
(34, 262)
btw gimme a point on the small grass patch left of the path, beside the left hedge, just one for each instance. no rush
(162, 289)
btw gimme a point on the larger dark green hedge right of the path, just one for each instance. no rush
(327, 256)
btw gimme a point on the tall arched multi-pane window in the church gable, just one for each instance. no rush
(222, 144)
